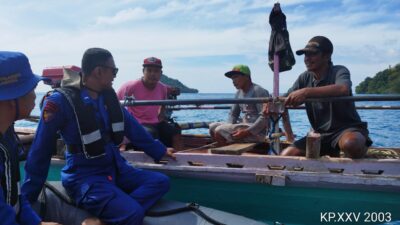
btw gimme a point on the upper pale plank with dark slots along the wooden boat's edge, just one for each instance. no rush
(389, 167)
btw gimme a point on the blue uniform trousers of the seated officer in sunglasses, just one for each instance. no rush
(125, 200)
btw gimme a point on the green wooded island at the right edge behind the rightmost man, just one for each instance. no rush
(384, 82)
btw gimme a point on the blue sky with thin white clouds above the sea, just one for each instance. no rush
(199, 40)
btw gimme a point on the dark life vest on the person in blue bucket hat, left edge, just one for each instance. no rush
(10, 178)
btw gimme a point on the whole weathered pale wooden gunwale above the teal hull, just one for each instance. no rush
(282, 177)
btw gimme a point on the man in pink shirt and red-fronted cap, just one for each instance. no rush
(152, 117)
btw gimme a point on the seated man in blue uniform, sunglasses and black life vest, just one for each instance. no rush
(92, 124)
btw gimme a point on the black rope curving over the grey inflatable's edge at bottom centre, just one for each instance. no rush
(194, 207)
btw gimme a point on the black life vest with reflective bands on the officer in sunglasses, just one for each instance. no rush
(92, 140)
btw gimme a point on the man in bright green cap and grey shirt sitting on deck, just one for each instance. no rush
(254, 125)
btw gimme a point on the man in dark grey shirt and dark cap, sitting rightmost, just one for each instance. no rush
(338, 123)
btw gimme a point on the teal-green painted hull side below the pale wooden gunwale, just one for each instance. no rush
(287, 205)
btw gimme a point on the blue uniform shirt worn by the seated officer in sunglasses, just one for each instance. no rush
(79, 170)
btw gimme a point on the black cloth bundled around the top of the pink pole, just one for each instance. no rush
(279, 41)
